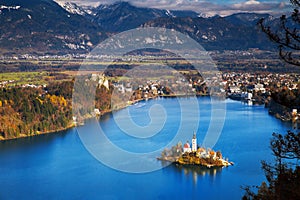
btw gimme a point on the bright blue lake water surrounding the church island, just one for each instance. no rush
(58, 166)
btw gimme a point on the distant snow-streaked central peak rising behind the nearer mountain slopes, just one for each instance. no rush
(122, 16)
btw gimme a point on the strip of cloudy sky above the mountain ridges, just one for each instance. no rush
(209, 7)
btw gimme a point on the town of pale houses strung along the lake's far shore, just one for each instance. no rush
(253, 88)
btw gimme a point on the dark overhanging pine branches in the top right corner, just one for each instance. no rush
(286, 35)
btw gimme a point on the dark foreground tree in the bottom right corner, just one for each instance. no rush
(284, 175)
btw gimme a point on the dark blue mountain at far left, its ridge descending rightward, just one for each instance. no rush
(39, 26)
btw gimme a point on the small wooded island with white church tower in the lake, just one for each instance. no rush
(194, 156)
